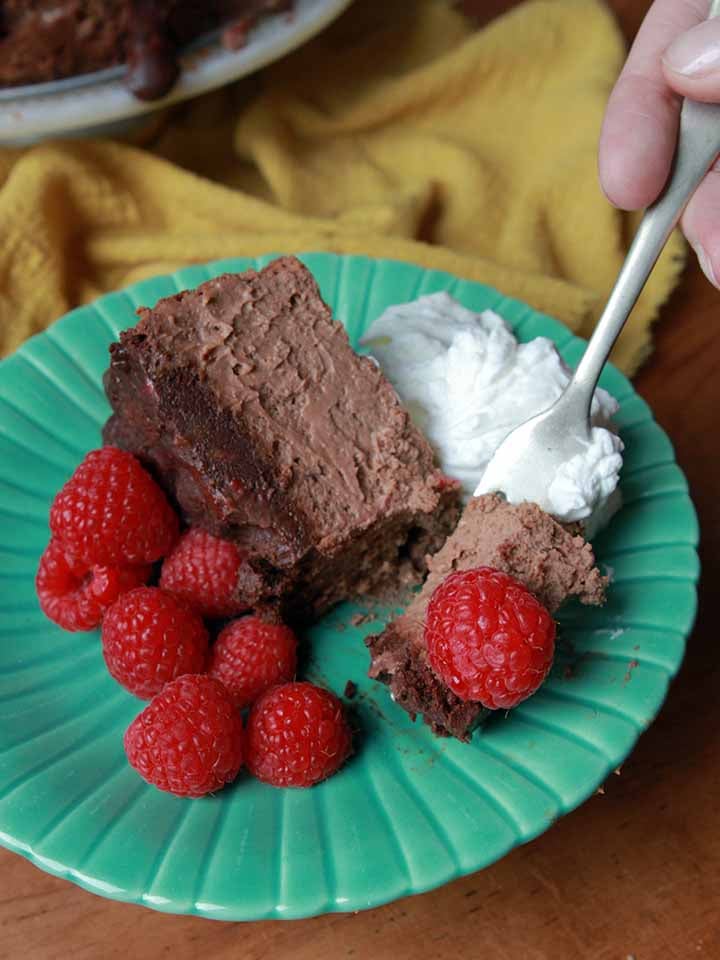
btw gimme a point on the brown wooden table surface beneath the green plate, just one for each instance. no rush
(634, 873)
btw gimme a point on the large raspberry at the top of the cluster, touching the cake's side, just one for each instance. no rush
(111, 511)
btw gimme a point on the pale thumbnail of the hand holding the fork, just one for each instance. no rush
(691, 63)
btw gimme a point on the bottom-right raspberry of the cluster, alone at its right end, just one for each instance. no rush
(296, 735)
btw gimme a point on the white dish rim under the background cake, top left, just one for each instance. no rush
(99, 103)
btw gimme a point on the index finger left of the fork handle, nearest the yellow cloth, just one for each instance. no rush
(640, 128)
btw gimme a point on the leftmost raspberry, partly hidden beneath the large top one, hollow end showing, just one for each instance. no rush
(74, 594)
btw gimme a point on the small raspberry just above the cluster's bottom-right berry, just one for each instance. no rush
(250, 655)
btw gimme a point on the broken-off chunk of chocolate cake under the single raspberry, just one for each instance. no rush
(553, 562)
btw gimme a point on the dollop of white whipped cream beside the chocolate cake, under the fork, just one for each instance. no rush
(467, 383)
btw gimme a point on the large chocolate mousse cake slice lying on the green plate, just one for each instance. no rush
(247, 401)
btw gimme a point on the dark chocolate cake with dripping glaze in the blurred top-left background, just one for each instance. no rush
(42, 40)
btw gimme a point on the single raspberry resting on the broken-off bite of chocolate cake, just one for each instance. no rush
(488, 637)
